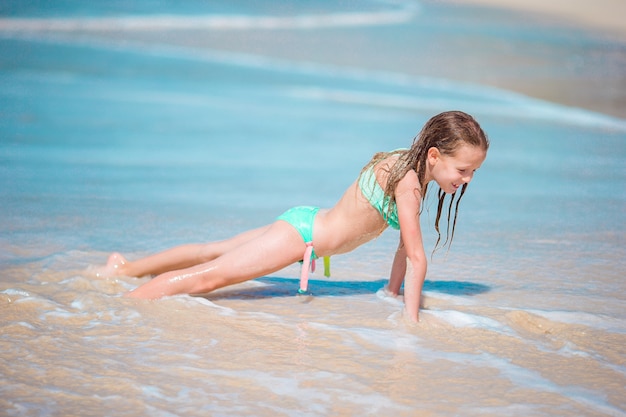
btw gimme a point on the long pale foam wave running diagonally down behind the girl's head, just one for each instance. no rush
(418, 93)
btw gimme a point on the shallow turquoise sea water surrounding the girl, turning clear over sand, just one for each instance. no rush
(119, 140)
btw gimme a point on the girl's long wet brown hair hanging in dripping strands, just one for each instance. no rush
(446, 131)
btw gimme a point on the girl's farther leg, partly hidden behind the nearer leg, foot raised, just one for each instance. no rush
(176, 258)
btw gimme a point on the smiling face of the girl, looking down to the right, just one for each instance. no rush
(452, 171)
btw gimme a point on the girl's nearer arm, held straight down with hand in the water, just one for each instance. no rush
(408, 200)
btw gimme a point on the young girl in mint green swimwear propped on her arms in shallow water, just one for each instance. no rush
(388, 192)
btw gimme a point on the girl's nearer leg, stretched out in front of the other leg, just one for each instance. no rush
(277, 247)
